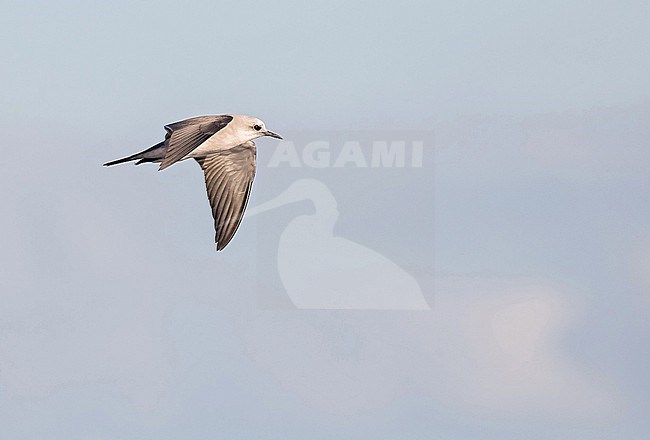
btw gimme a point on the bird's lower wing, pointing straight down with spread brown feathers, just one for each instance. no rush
(228, 179)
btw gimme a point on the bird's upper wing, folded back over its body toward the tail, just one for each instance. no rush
(184, 136)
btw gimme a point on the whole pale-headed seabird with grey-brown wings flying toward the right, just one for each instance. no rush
(224, 148)
